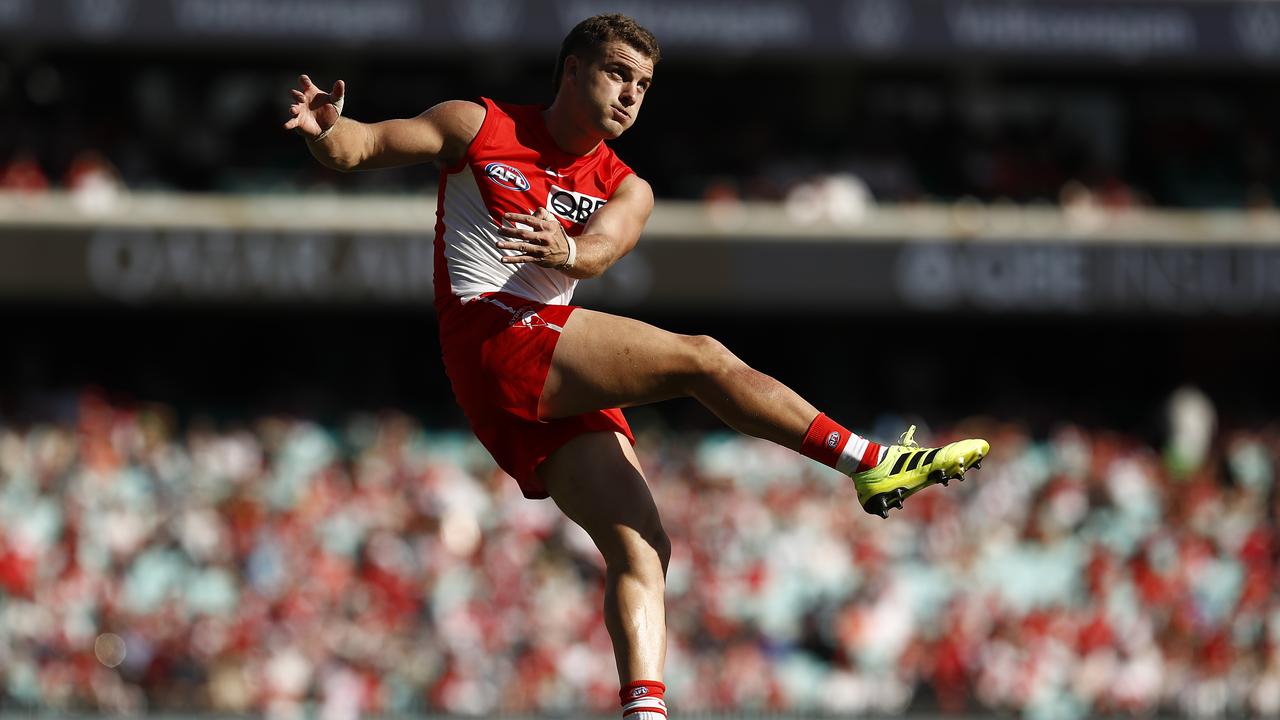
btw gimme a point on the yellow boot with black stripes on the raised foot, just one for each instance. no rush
(908, 468)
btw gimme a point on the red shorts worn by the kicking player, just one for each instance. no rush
(497, 353)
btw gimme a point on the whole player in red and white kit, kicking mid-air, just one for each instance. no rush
(532, 200)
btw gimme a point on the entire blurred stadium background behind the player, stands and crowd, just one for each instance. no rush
(234, 480)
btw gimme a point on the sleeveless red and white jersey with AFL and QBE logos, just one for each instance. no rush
(514, 166)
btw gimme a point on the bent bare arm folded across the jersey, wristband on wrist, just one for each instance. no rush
(611, 234)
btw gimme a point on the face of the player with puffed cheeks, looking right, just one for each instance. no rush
(612, 86)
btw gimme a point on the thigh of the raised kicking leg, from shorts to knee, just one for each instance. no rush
(605, 361)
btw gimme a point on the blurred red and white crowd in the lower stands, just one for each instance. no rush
(287, 568)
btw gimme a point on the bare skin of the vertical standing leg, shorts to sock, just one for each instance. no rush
(597, 482)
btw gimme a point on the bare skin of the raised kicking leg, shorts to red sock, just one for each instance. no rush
(611, 362)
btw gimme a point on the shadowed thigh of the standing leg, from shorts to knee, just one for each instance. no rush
(597, 482)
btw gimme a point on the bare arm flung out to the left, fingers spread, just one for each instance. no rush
(440, 135)
